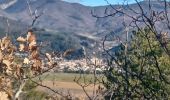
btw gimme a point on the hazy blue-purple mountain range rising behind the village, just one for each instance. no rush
(72, 19)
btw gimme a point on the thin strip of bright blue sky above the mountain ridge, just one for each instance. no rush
(100, 2)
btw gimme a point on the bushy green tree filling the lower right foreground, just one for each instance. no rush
(142, 70)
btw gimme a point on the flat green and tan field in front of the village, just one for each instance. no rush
(65, 82)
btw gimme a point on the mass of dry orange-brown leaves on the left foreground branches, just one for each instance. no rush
(16, 66)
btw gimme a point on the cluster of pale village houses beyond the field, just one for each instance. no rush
(81, 65)
